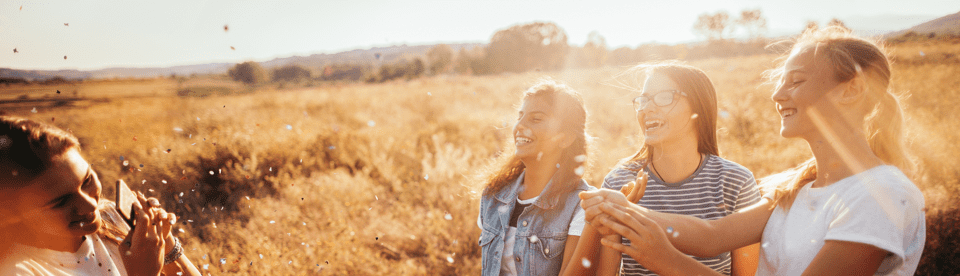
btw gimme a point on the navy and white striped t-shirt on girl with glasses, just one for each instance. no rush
(718, 188)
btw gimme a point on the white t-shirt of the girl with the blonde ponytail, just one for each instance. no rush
(880, 207)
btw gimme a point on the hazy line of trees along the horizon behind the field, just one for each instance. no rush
(537, 46)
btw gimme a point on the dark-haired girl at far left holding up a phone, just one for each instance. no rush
(54, 222)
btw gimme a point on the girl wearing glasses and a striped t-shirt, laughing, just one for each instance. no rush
(679, 168)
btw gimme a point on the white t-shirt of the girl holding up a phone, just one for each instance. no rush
(95, 257)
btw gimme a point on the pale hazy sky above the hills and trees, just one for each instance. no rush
(133, 33)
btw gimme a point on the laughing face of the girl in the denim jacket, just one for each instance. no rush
(538, 133)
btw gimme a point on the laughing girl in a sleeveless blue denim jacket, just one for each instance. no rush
(530, 214)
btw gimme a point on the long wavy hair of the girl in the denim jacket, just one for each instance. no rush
(573, 116)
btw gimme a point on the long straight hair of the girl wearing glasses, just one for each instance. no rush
(701, 94)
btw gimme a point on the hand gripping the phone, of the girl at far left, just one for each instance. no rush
(143, 249)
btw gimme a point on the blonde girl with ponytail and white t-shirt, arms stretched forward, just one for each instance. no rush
(851, 210)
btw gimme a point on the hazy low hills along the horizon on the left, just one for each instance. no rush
(387, 55)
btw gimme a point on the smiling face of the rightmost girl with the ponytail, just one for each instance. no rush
(803, 96)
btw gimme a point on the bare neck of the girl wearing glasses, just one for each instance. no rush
(674, 163)
